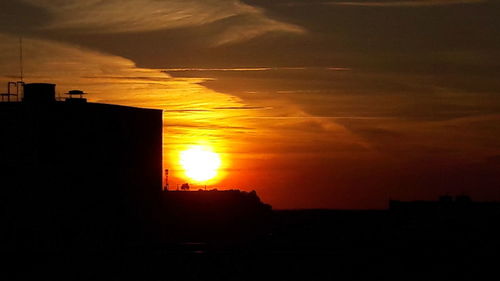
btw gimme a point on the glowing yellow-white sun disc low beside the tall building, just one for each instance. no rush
(200, 163)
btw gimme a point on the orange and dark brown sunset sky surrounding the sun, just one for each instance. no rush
(312, 103)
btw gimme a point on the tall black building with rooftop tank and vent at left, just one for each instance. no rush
(75, 164)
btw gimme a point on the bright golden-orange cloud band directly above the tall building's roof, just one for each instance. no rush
(107, 78)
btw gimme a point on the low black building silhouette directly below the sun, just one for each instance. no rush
(214, 214)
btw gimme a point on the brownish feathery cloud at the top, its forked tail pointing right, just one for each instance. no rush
(114, 16)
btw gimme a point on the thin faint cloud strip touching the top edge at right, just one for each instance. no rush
(405, 3)
